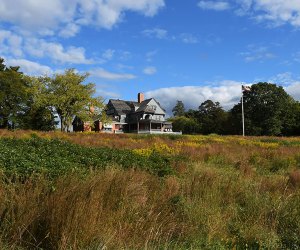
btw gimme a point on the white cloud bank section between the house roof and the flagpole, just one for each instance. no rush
(227, 93)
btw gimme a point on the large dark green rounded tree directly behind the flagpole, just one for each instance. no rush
(268, 109)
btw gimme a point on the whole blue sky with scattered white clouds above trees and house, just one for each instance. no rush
(171, 50)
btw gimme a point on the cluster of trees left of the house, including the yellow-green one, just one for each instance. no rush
(32, 102)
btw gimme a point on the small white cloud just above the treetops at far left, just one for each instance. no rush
(29, 67)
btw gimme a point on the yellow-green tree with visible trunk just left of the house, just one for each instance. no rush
(70, 97)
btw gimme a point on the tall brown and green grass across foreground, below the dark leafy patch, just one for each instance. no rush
(206, 208)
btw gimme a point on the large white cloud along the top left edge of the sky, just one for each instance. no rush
(65, 16)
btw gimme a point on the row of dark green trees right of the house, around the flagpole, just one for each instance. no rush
(268, 110)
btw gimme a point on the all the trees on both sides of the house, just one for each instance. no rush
(28, 102)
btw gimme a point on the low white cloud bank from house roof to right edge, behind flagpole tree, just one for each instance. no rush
(227, 92)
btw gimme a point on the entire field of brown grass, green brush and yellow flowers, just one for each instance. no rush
(101, 191)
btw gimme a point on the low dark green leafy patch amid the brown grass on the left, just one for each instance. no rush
(55, 157)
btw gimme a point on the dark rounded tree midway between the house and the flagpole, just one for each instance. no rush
(212, 117)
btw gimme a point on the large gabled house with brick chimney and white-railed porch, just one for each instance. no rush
(141, 116)
